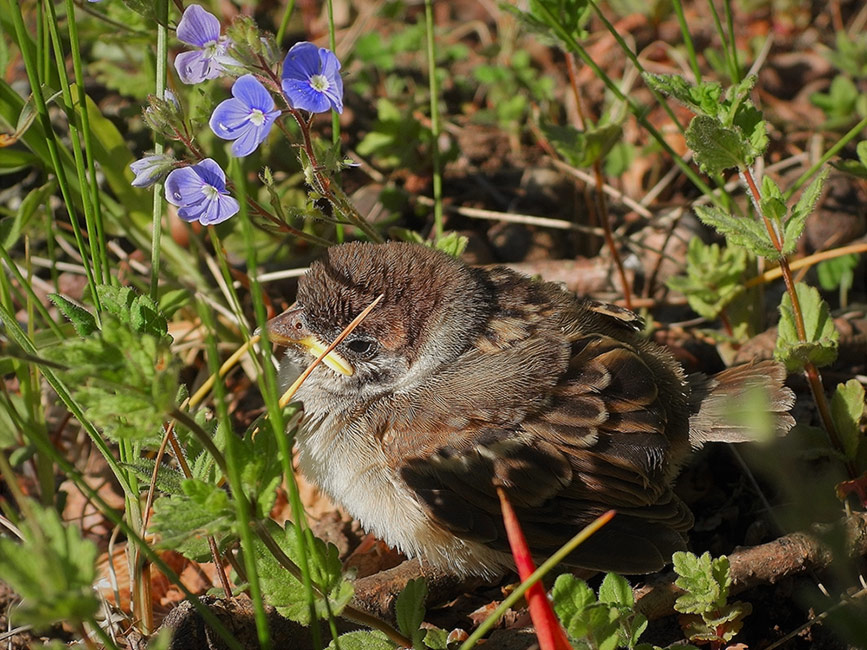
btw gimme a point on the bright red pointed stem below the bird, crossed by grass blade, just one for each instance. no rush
(548, 629)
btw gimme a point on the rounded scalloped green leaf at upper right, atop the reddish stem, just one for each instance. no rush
(717, 147)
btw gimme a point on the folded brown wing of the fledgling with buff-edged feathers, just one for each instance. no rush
(569, 429)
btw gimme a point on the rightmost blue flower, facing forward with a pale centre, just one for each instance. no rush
(311, 79)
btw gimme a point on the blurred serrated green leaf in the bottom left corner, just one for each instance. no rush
(53, 570)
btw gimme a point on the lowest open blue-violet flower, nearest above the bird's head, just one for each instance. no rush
(200, 193)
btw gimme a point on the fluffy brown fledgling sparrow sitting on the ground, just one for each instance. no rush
(464, 380)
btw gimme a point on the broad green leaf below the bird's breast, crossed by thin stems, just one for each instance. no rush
(286, 593)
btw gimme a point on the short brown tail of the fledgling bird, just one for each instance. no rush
(744, 403)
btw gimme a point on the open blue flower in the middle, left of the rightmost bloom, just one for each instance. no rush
(247, 117)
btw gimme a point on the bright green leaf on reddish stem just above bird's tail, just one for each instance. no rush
(820, 347)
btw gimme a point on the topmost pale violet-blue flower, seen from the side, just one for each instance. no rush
(201, 29)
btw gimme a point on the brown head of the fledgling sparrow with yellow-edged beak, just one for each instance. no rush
(432, 309)
